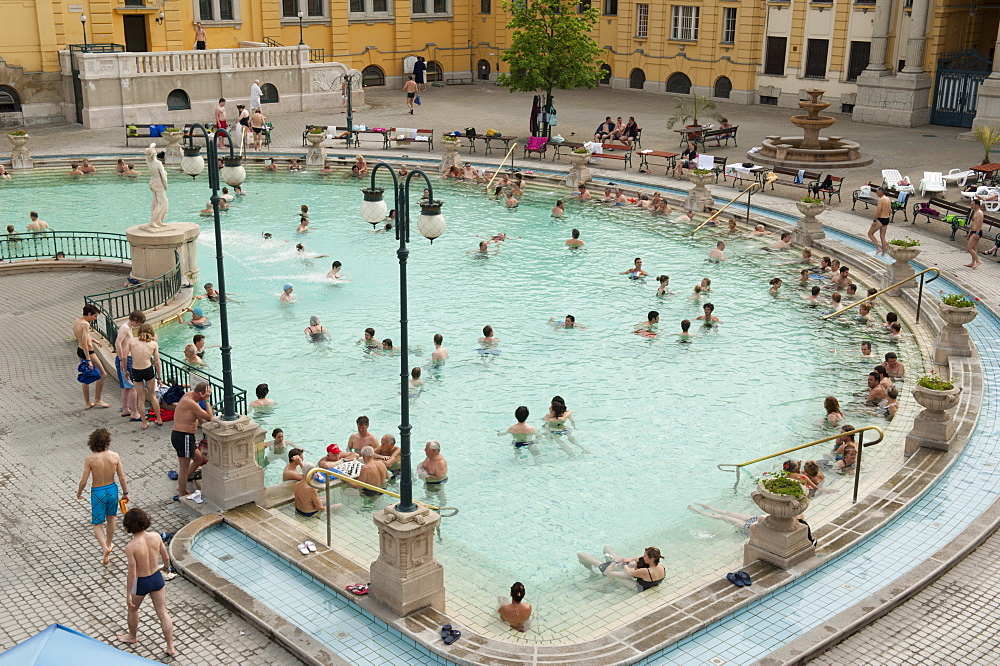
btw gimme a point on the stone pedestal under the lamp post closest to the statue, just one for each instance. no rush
(232, 477)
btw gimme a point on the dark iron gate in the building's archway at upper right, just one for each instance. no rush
(957, 87)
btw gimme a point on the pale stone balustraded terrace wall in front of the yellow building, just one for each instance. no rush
(124, 88)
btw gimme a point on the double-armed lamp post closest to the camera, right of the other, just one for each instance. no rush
(431, 224)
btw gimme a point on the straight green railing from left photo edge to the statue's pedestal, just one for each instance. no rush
(73, 244)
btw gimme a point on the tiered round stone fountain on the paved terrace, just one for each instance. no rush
(811, 151)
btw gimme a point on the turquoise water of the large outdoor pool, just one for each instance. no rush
(656, 416)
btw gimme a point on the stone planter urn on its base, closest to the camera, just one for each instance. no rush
(779, 538)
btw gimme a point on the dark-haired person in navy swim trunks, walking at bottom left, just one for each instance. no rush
(144, 577)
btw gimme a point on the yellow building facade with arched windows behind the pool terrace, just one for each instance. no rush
(768, 51)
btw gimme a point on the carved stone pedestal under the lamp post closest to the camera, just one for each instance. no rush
(406, 577)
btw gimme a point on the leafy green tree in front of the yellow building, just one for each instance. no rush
(551, 48)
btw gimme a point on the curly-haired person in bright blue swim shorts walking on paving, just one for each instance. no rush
(101, 466)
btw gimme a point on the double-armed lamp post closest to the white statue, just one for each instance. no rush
(234, 174)
